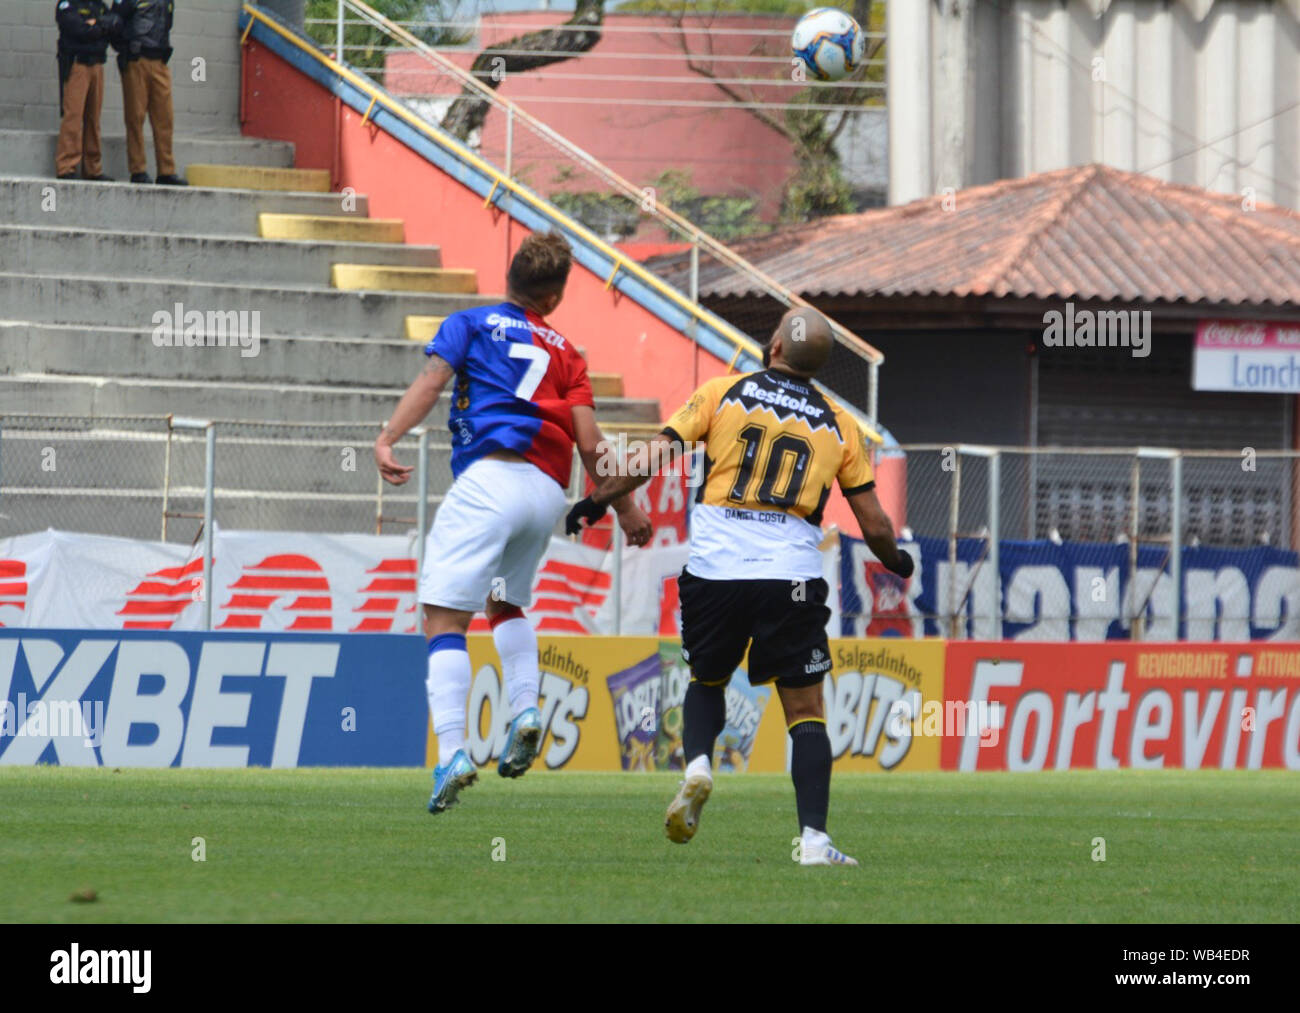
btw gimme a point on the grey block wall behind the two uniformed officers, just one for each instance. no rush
(205, 29)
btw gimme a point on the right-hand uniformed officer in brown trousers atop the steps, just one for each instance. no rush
(144, 50)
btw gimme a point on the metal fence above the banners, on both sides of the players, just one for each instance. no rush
(146, 478)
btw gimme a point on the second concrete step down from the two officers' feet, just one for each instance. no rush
(34, 250)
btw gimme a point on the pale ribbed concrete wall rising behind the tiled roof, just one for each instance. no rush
(1193, 92)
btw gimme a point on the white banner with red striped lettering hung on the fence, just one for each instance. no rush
(293, 582)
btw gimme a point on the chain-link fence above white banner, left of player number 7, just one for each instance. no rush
(149, 477)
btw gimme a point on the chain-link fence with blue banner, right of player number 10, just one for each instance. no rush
(1091, 543)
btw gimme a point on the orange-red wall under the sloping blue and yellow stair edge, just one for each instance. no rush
(619, 336)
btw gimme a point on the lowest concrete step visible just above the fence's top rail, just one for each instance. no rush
(31, 393)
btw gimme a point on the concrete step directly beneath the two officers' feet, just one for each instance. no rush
(50, 204)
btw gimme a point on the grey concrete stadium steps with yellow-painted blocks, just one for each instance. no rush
(344, 308)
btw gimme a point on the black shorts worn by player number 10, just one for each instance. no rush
(786, 621)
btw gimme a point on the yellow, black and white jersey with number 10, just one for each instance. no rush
(774, 448)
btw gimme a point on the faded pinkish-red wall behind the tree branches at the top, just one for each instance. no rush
(645, 120)
